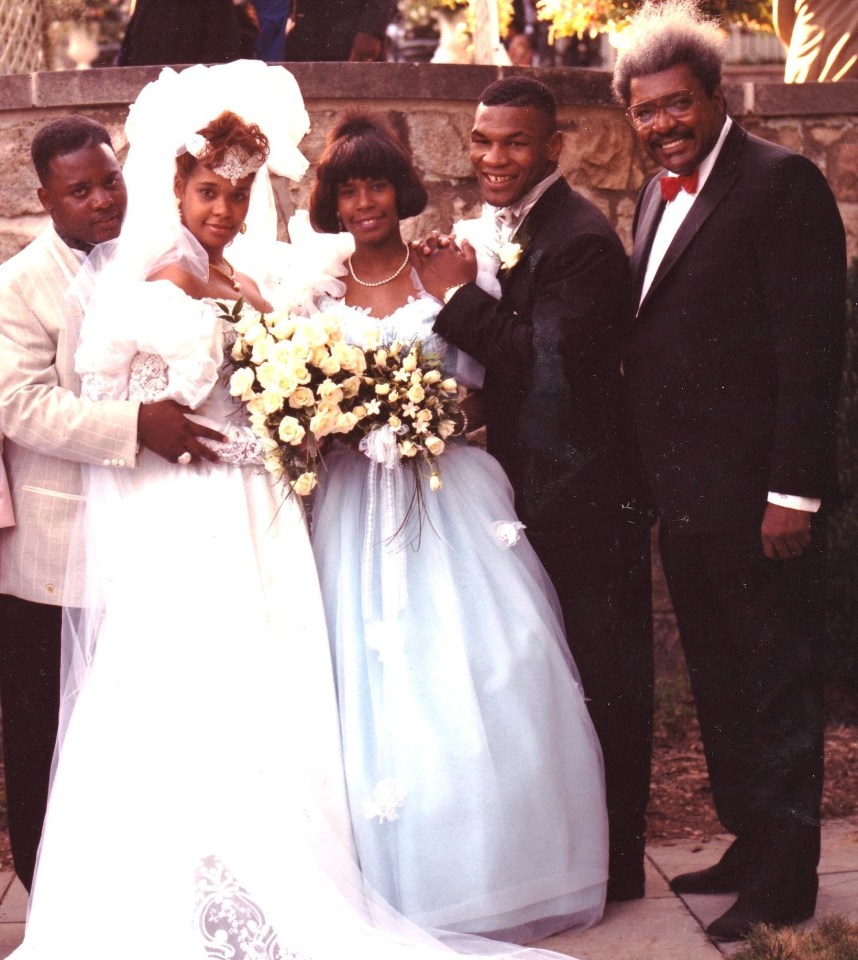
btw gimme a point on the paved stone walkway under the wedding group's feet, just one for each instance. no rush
(660, 927)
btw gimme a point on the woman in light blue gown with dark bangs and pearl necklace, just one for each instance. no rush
(474, 774)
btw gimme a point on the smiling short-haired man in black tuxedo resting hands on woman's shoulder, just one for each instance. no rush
(555, 415)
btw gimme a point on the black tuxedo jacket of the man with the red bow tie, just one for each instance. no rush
(734, 358)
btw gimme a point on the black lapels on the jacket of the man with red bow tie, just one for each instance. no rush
(717, 186)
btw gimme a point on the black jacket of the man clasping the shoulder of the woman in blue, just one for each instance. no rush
(554, 399)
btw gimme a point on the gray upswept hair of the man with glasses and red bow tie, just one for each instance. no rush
(666, 34)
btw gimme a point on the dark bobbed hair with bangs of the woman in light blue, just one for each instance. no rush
(362, 146)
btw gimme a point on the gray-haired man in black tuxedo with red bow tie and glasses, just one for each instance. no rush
(732, 364)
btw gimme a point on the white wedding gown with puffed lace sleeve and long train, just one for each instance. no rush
(197, 808)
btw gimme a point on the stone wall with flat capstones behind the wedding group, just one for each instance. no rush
(432, 107)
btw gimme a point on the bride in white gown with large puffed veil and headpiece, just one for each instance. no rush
(197, 808)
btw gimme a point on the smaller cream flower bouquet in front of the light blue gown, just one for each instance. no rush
(406, 401)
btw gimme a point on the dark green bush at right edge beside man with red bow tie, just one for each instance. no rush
(843, 529)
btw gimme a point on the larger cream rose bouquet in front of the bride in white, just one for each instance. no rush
(300, 382)
